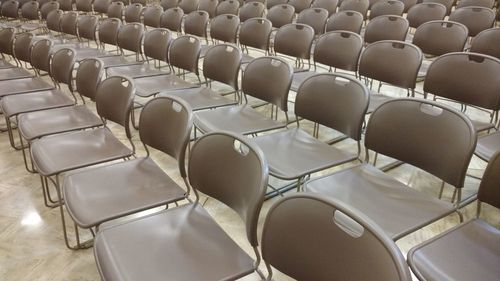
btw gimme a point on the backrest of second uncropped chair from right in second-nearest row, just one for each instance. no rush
(335, 101)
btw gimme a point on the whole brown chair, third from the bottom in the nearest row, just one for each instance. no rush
(138, 184)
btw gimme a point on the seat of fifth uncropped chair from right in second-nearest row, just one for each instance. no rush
(148, 86)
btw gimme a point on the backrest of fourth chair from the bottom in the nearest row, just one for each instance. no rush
(114, 100)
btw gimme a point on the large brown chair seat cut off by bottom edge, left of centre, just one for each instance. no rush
(182, 243)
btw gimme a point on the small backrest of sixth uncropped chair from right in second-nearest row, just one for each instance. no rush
(156, 43)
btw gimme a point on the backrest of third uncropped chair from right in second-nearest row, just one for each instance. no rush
(268, 79)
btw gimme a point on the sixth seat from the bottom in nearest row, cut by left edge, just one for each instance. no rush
(24, 85)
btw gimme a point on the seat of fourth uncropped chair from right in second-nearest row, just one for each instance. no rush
(201, 98)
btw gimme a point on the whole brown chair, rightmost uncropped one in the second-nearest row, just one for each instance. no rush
(392, 130)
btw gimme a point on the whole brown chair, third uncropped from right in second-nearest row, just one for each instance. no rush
(265, 78)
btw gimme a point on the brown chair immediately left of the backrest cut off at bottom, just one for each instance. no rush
(177, 237)
